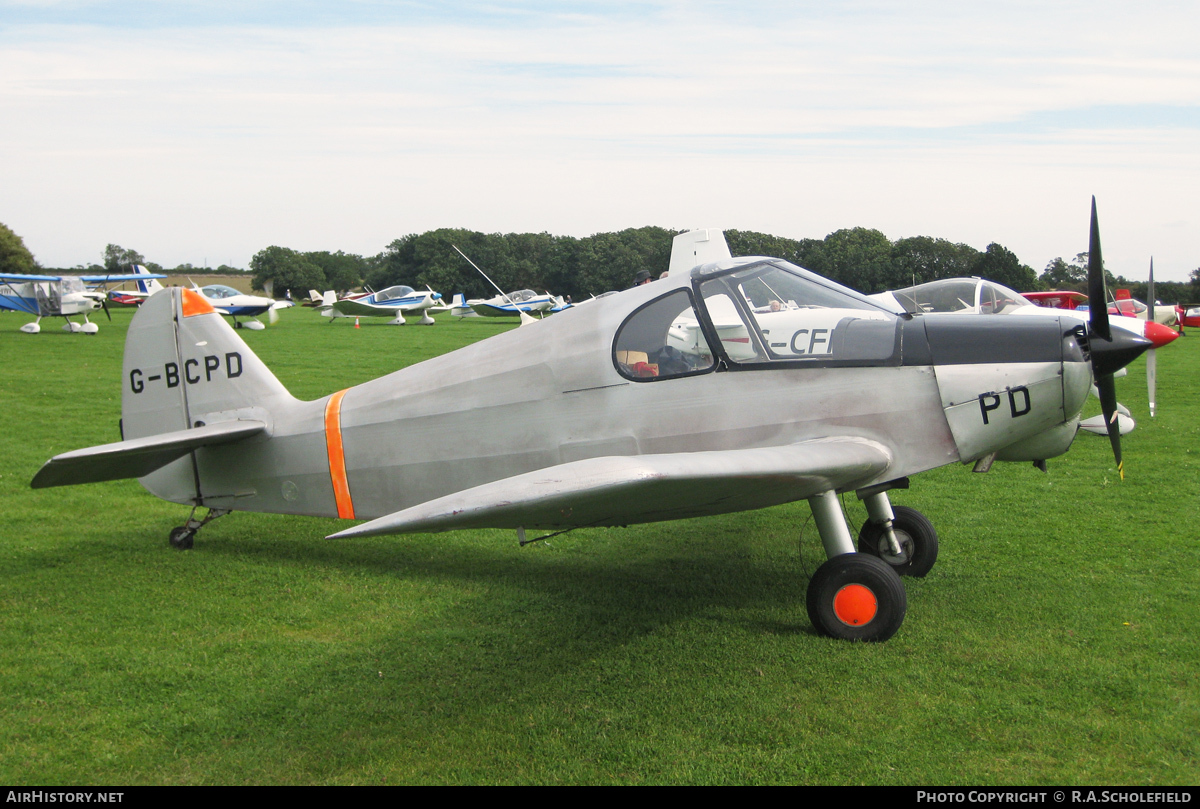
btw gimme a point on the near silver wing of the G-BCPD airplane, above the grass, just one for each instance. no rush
(625, 490)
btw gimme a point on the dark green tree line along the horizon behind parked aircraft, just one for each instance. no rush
(861, 259)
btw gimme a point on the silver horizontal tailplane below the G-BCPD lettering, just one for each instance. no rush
(139, 457)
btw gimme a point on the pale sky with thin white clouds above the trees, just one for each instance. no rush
(203, 133)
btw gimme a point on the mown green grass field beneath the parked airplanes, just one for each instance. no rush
(1053, 644)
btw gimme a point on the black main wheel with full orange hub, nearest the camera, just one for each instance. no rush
(856, 597)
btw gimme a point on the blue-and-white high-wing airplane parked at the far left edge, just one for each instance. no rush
(58, 296)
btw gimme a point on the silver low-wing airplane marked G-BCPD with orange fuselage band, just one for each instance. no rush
(633, 409)
